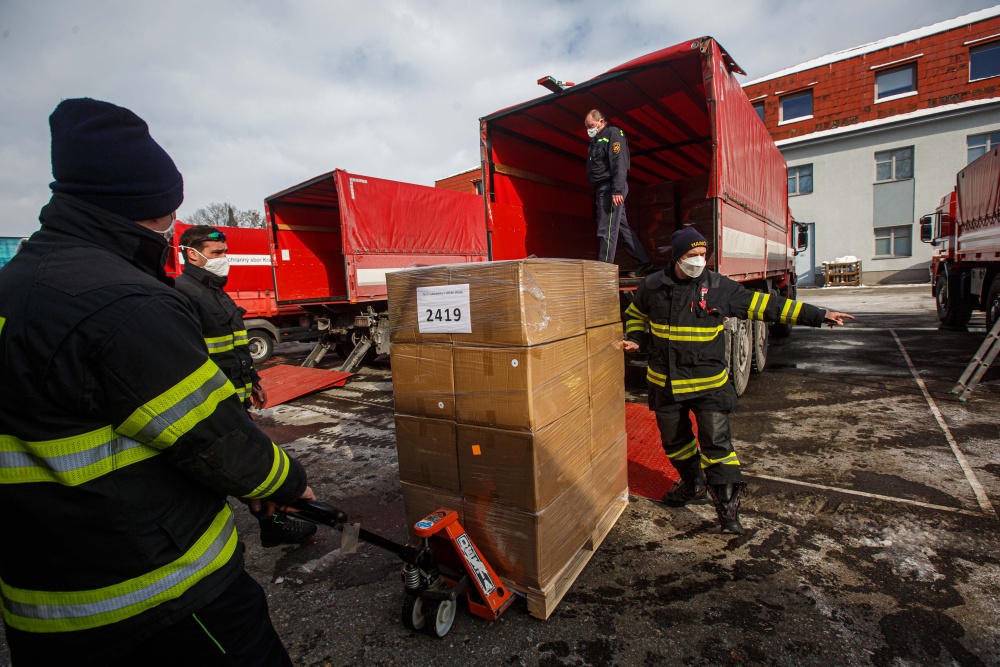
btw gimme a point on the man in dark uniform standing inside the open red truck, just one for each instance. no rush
(608, 165)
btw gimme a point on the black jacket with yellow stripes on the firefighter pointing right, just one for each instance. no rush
(683, 324)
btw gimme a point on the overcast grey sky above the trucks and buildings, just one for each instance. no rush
(252, 96)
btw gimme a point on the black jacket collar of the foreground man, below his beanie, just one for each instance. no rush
(141, 247)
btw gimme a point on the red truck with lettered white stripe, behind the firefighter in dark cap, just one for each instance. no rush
(251, 285)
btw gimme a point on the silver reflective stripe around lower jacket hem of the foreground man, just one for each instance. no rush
(50, 612)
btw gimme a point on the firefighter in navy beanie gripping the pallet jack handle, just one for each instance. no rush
(120, 439)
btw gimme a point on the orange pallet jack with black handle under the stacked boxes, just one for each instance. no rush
(444, 566)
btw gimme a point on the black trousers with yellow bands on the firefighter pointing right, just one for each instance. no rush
(713, 449)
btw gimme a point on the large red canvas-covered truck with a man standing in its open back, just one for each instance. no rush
(700, 156)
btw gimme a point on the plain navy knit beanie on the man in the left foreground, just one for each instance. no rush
(103, 154)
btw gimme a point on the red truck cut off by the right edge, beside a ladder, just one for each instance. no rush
(965, 228)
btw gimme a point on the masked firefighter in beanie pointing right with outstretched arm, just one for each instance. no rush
(680, 312)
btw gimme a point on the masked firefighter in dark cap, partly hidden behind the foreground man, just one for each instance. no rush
(206, 271)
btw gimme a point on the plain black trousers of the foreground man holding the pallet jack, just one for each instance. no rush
(233, 631)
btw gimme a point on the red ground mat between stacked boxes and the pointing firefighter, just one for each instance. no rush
(650, 473)
